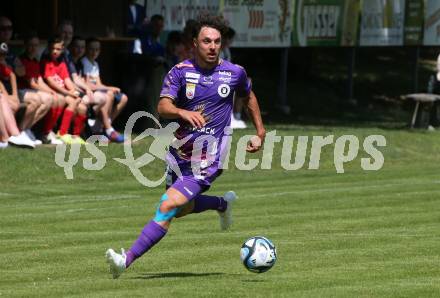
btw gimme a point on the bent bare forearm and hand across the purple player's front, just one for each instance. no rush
(168, 110)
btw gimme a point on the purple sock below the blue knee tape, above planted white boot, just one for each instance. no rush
(150, 235)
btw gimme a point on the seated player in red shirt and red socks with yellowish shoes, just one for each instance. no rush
(55, 73)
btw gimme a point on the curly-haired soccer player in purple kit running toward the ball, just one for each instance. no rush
(198, 93)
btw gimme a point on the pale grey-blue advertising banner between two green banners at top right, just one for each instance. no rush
(382, 23)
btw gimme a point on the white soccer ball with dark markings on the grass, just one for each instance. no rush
(258, 254)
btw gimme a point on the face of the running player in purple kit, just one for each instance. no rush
(207, 45)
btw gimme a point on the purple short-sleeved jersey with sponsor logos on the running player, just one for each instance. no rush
(211, 93)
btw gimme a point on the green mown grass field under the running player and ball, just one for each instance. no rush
(360, 233)
